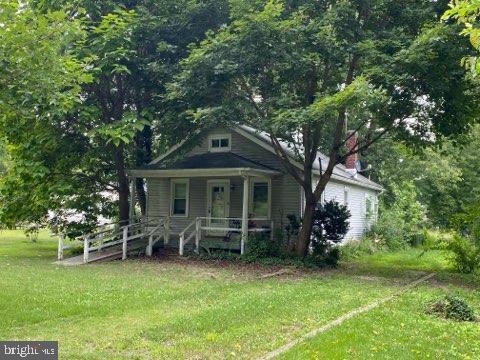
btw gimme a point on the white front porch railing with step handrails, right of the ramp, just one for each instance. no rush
(231, 226)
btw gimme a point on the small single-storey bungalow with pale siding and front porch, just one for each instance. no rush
(230, 183)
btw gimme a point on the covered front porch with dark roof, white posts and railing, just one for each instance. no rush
(210, 200)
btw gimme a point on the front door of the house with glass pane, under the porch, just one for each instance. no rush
(218, 205)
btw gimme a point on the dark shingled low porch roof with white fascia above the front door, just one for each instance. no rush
(207, 164)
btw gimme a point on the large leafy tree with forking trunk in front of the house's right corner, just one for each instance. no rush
(307, 72)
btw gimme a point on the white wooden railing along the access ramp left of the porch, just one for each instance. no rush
(114, 234)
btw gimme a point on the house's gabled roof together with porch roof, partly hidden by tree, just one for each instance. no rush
(261, 138)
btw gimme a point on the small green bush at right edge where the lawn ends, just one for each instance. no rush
(465, 254)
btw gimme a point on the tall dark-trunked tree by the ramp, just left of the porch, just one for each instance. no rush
(134, 50)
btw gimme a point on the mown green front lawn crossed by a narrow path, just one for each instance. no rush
(183, 309)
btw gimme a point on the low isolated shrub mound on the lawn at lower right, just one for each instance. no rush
(451, 307)
